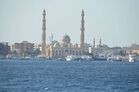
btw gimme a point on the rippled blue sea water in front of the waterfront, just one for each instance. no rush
(61, 76)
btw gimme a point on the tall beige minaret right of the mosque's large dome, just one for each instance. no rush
(82, 30)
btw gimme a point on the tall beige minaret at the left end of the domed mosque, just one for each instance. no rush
(43, 52)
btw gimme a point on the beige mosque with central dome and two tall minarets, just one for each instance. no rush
(65, 47)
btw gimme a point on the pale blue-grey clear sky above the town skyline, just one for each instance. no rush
(116, 22)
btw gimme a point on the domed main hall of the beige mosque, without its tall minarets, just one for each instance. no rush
(63, 48)
